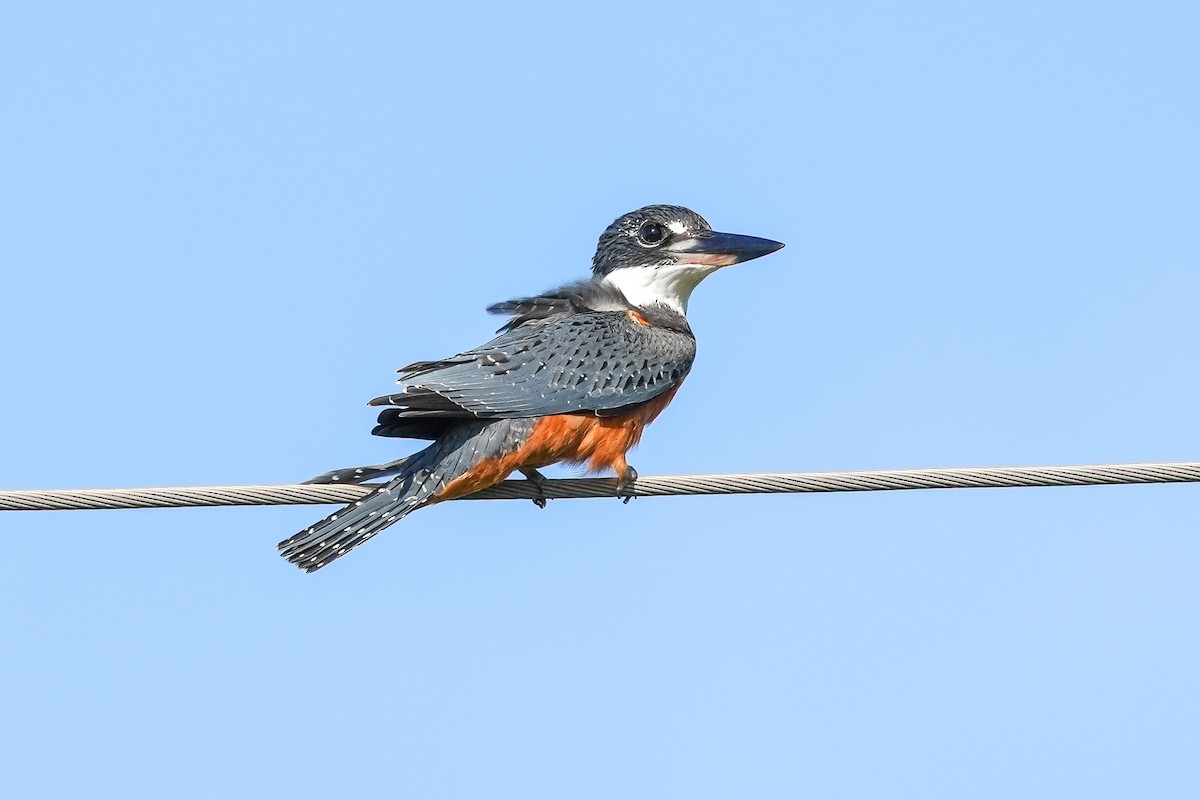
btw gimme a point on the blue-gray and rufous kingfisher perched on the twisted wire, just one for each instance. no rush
(574, 376)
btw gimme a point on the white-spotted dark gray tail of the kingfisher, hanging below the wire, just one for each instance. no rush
(418, 482)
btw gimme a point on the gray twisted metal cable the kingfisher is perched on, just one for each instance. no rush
(649, 486)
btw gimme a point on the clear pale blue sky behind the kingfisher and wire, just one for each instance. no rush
(224, 226)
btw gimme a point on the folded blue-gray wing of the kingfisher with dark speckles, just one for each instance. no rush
(604, 363)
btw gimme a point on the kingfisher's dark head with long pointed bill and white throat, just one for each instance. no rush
(658, 255)
